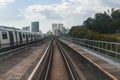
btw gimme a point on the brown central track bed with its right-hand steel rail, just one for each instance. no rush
(61, 67)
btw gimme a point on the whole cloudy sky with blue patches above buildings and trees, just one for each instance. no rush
(20, 13)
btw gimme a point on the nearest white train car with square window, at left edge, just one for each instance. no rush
(7, 37)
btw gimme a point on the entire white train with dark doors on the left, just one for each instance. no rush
(11, 37)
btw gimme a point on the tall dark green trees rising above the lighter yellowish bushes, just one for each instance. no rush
(104, 22)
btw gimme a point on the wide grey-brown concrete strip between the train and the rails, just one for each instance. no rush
(20, 65)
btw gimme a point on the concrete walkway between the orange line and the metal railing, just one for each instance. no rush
(107, 66)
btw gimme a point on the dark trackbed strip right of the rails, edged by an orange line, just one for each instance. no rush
(89, 69)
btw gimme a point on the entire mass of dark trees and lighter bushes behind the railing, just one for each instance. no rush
(96, 28)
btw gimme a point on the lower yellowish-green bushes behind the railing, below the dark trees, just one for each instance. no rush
(81, 32)
